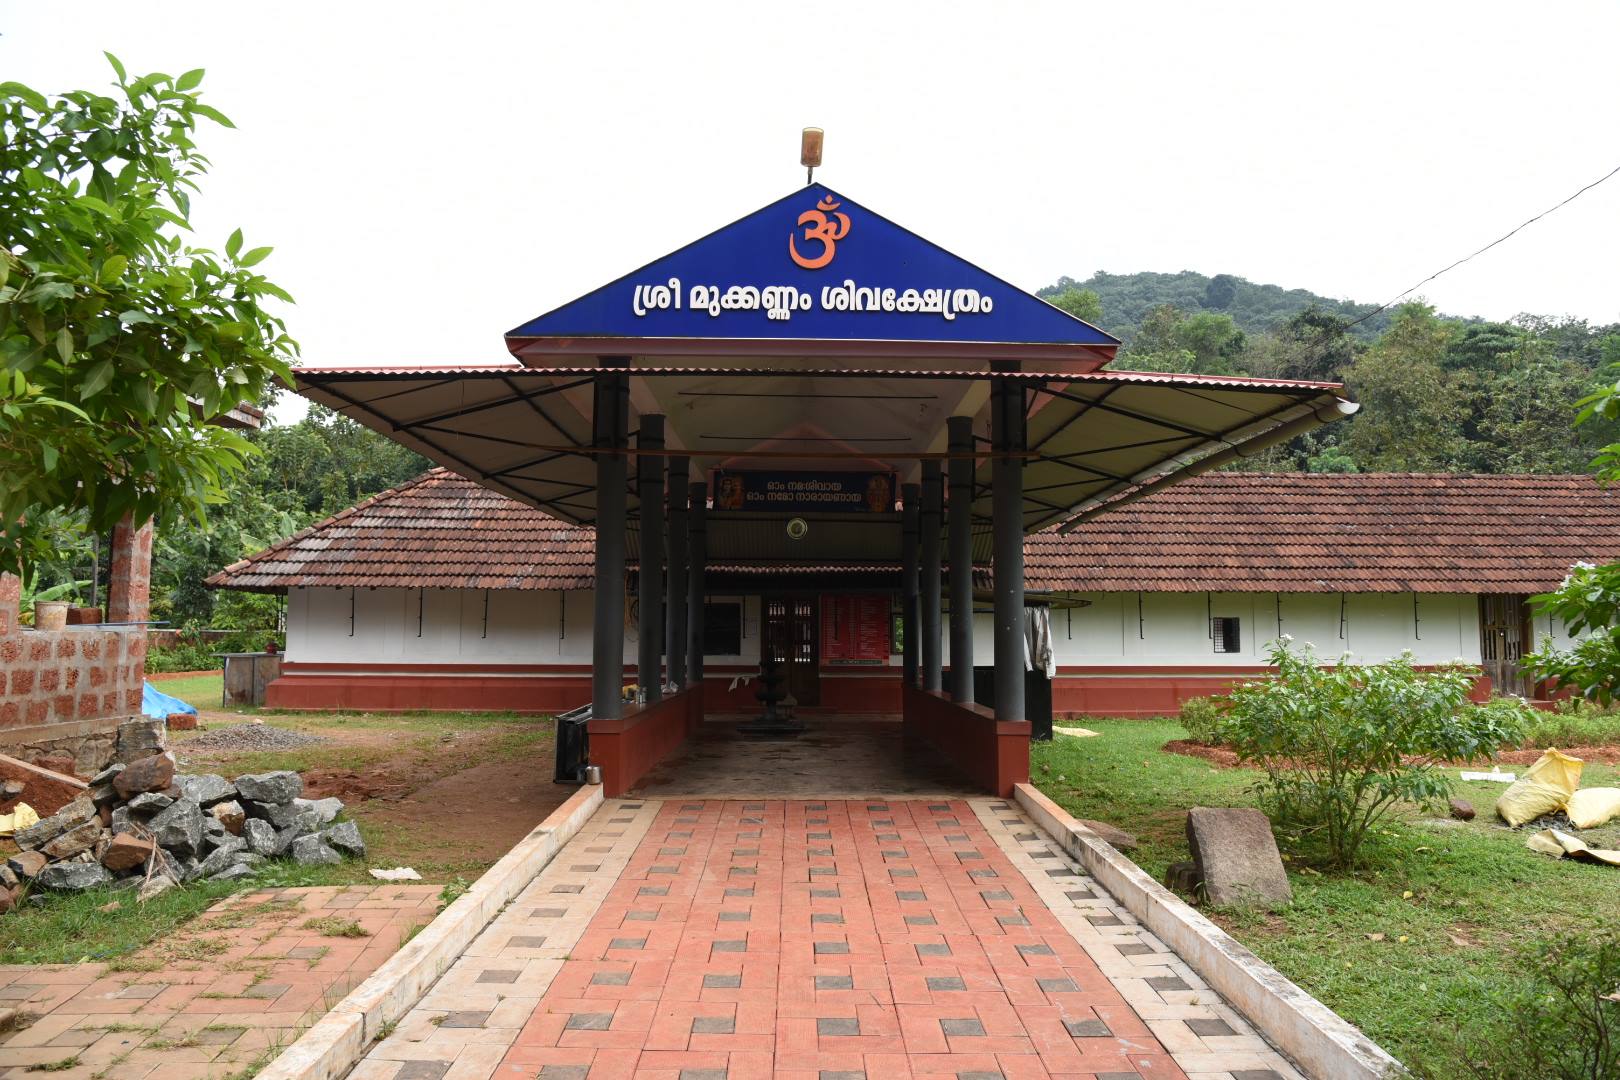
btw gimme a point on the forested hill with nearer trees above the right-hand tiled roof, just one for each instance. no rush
(1438, 393)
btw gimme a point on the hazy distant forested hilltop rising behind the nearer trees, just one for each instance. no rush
(1127, 299)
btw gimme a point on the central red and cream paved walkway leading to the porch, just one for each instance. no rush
(712, 940)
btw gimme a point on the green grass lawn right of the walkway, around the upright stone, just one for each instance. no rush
(1452, 901)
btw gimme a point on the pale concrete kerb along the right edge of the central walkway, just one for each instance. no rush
(1318, 1039)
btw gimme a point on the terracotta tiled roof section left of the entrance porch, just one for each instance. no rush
(438, 532)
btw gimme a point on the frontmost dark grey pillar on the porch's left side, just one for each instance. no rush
(610, 436)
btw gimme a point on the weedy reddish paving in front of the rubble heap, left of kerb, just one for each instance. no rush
(215, 998)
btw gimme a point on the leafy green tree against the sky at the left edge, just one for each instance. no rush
(121, 341)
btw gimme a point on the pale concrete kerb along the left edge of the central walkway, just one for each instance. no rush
(338, 1040)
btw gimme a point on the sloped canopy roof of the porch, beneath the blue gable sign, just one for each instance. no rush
(526, 433)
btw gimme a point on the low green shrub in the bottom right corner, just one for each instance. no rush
(1562, 1023)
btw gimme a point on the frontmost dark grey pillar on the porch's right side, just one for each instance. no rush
(1007, 482)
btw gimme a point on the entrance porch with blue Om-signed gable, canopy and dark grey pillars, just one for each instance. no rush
(738, 409)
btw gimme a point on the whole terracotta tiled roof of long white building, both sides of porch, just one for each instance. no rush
(1226, 532)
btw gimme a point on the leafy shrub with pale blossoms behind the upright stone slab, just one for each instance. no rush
(1344, 744)
